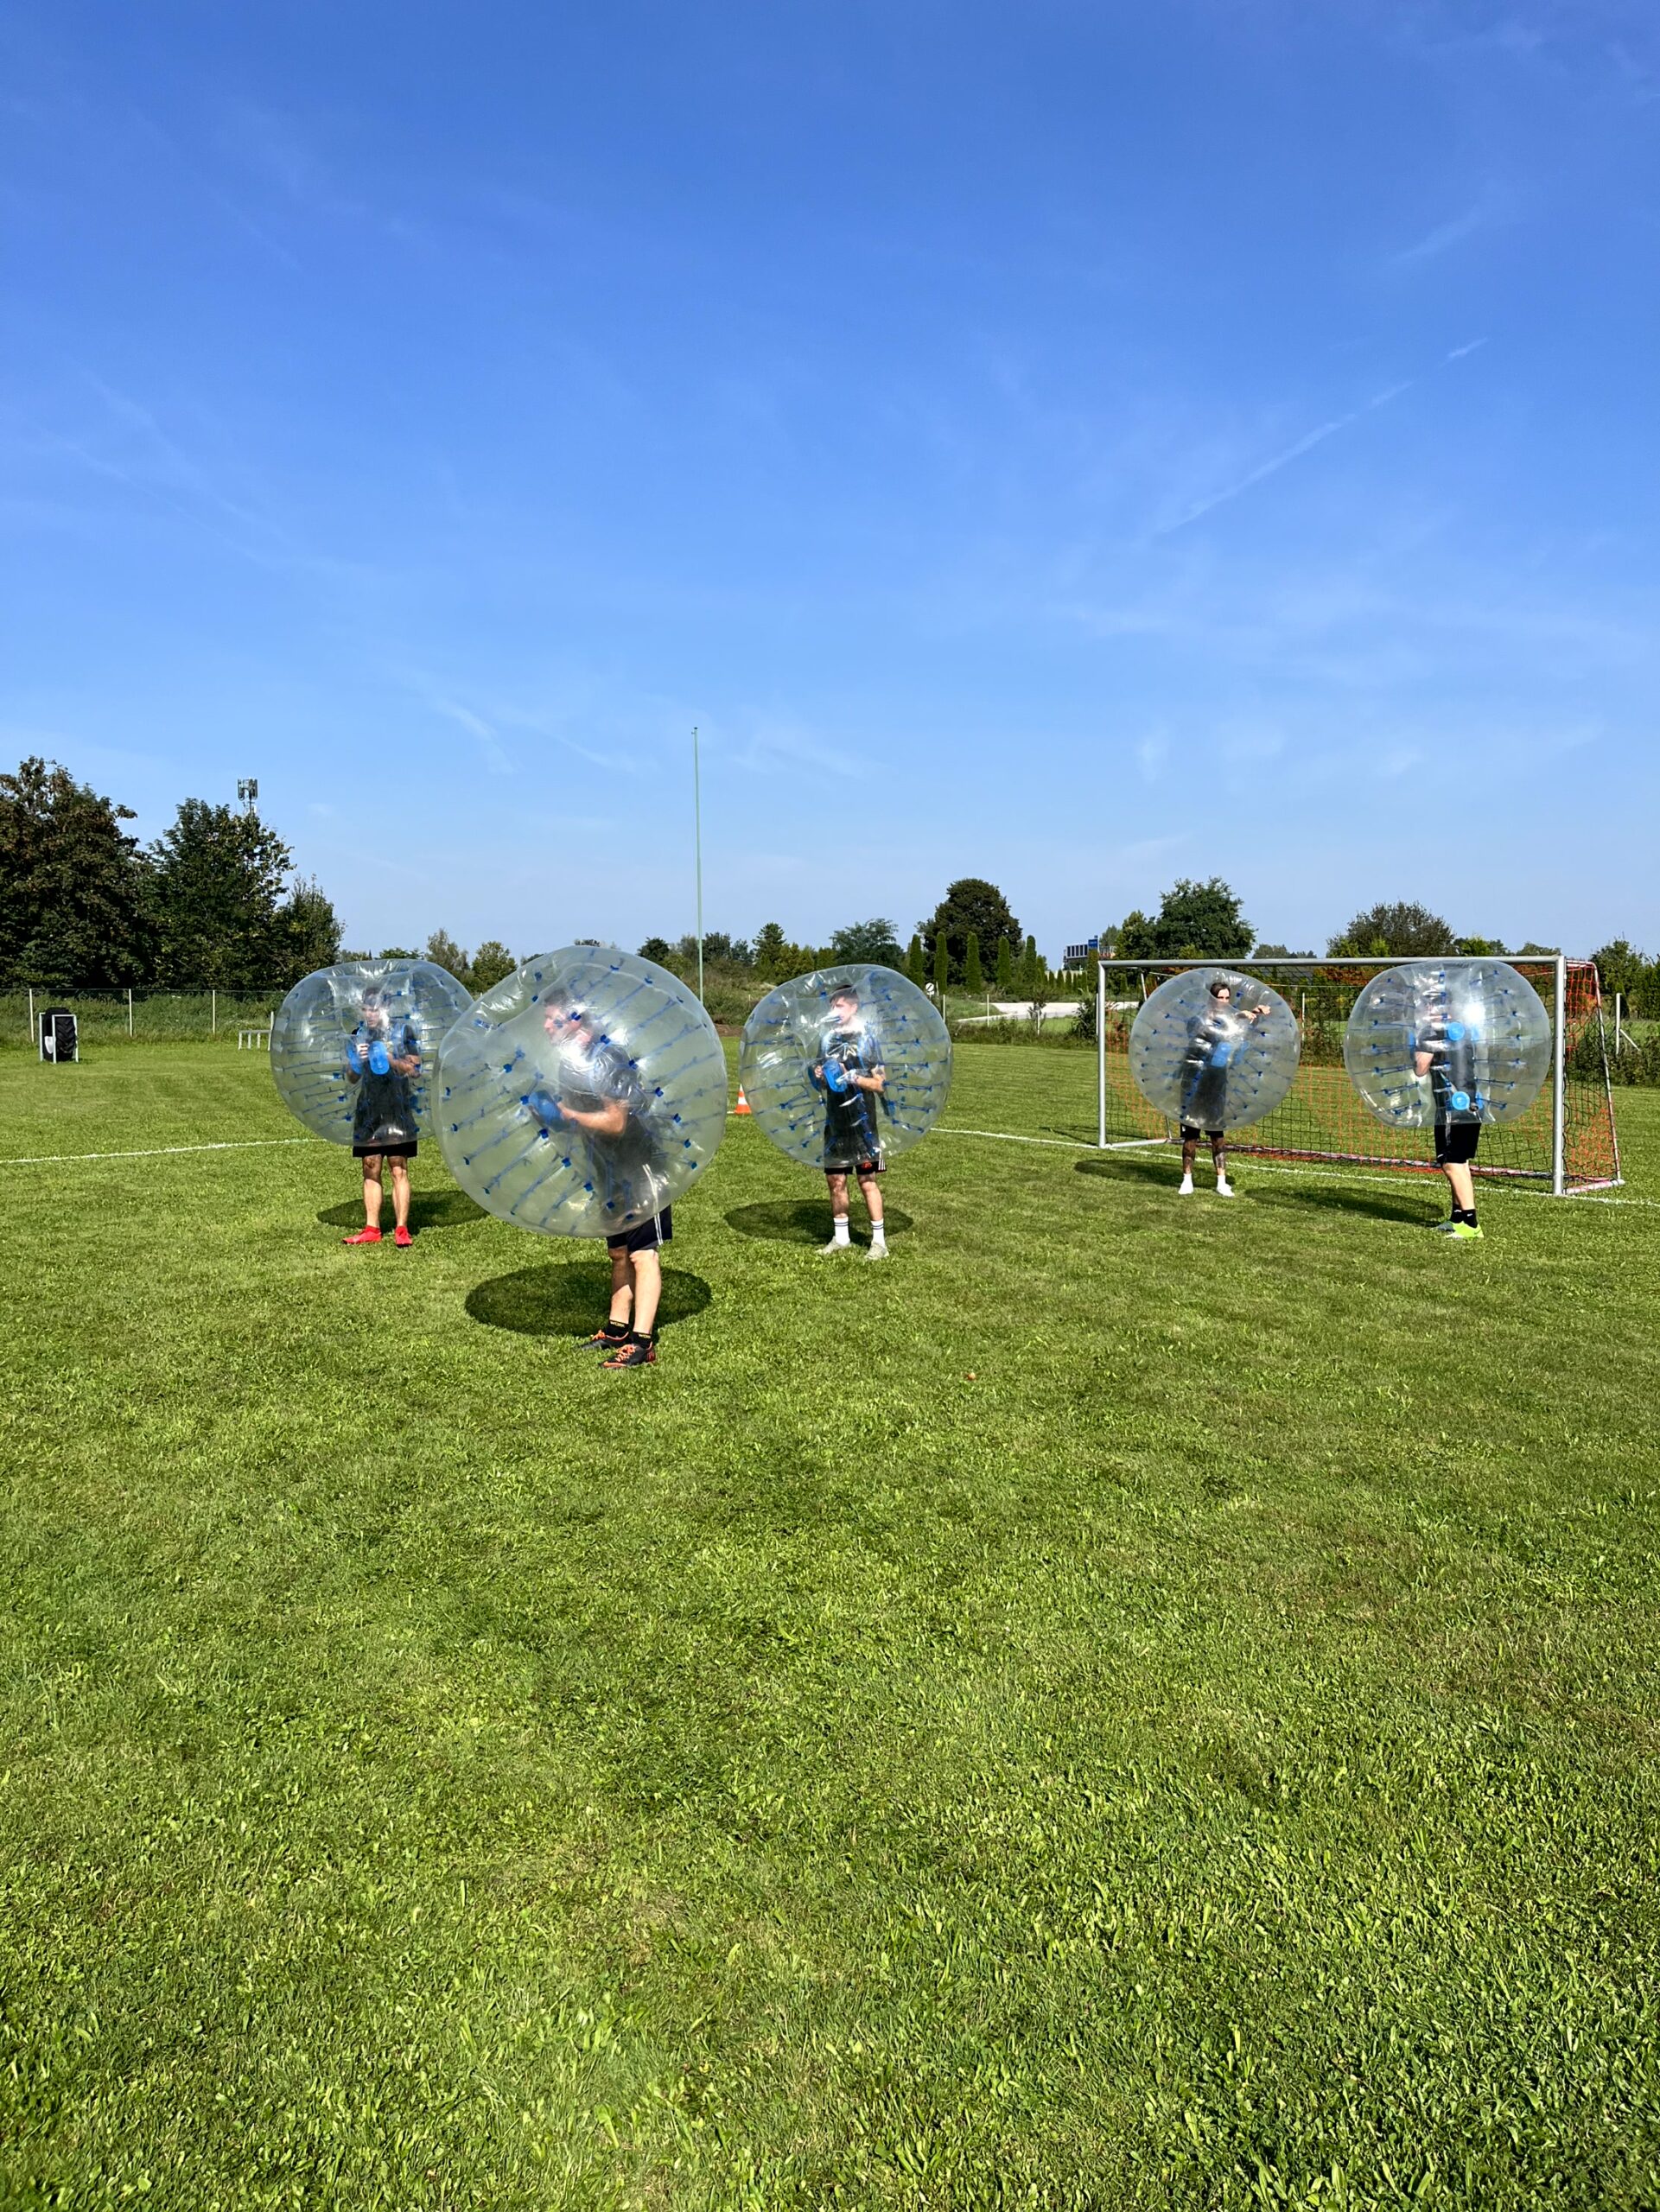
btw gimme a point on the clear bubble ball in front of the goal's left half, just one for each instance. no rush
(1214, 1050)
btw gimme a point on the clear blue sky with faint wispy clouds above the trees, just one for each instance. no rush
(1066, 444)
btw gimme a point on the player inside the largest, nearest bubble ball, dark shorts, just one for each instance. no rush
(601, 1094)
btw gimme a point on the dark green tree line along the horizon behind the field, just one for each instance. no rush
(216, 901)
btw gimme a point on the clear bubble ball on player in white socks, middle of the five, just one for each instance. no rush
(847, 1065)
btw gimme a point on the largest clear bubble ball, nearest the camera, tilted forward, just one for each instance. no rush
(583, 1094)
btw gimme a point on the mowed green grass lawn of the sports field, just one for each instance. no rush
(1130, 1704)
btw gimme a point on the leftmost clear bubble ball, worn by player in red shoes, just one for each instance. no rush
(344, 1041)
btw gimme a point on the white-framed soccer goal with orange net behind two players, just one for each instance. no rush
(1566, 1142)
